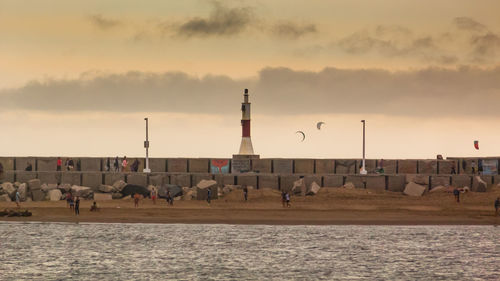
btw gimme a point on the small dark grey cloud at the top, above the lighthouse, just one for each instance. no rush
(222, 21)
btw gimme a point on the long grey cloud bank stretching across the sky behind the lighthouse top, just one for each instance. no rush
(429, 92)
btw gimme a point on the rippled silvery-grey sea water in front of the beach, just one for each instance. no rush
(117, 251)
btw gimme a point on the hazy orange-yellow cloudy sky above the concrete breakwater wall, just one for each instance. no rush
(77, 78)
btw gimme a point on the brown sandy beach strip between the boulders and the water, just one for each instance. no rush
(329, 207)
